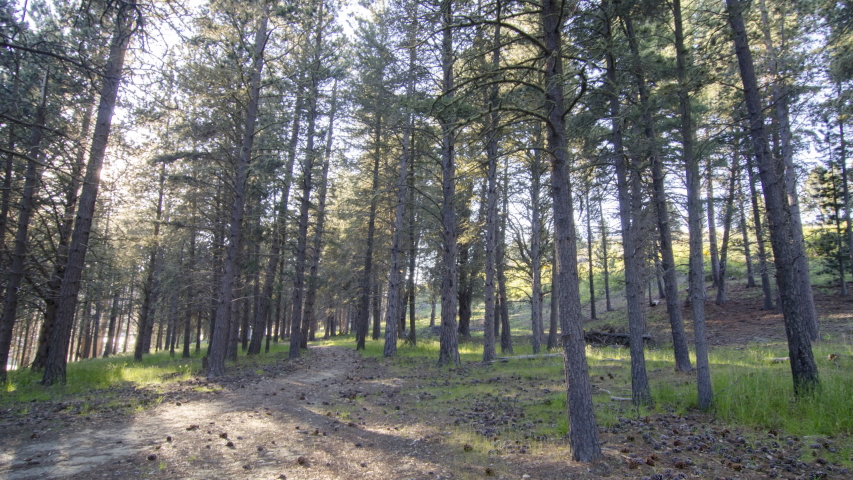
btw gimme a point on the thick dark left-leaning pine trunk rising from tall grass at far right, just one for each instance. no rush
(782, 236)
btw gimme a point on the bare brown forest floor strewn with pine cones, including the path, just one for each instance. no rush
(334, 414)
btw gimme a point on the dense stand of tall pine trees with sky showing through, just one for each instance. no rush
(217, 176)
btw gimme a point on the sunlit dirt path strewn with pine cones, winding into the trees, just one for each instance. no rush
(330, 418)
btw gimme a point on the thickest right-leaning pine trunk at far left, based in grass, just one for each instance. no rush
(55, 367)
